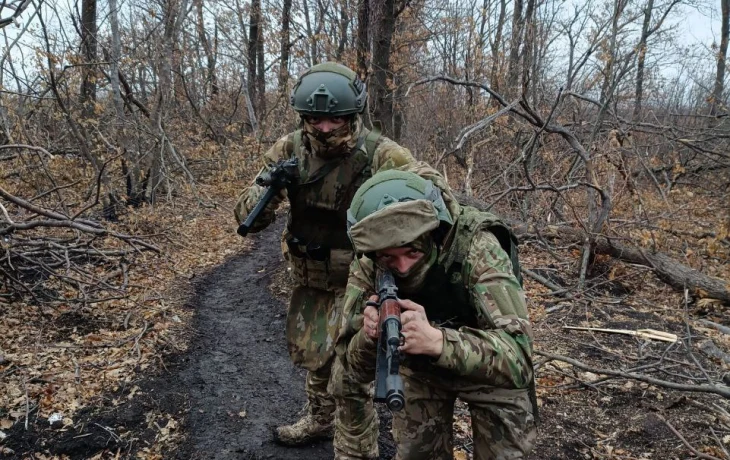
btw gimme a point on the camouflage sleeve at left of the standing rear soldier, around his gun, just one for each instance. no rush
(247, 200)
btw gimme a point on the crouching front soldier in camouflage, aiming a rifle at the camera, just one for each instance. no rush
(464, 321)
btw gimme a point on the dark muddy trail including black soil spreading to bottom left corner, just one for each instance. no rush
(222, 398)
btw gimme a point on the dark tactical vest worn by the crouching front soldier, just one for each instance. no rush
(445, 294)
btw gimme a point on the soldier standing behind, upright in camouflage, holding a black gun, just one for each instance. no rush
(336, 155)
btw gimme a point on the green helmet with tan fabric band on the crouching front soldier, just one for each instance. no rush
(394, 208)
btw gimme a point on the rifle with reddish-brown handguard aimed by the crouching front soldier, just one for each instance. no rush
(388, 382)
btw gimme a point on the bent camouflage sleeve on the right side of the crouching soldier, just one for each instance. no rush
(500, 354)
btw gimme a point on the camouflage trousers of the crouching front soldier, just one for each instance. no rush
(502, 420)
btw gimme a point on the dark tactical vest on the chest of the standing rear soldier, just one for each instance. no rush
(319, 249)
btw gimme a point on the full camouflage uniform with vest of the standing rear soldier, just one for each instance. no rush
(319, 253)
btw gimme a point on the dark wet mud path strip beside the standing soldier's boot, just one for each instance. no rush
(237, 374)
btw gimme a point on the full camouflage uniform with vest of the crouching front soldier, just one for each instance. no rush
(472, 295)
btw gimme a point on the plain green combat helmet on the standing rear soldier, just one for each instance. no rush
(329, 90)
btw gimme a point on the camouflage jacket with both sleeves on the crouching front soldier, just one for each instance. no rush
(490, 340)
